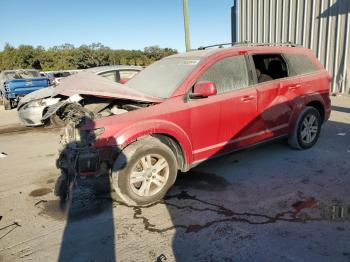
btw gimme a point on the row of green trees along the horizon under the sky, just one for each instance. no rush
(67, 56)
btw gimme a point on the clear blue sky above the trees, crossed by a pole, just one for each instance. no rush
(129, 24)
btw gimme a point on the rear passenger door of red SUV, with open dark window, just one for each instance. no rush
(275, 92)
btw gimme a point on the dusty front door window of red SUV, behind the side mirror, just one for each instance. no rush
(228, 74)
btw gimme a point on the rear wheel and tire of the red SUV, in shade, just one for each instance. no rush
(307, 129)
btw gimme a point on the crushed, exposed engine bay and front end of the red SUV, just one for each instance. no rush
(76, 155)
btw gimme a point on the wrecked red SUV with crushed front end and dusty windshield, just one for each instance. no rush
(190, 107)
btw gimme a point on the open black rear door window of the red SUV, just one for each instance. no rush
(270, 67)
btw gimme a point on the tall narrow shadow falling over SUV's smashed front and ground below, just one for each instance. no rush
(89, 233)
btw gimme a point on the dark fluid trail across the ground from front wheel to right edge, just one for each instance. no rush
(294, 215)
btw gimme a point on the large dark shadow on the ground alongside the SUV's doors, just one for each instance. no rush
(219, 214)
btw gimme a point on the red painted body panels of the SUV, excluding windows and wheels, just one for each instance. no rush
(222, 123)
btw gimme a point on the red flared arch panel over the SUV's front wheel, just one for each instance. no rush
(137, 130)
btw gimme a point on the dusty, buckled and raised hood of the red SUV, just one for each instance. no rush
(88, 83)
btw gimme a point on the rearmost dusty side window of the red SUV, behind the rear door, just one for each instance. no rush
(300, 64)
